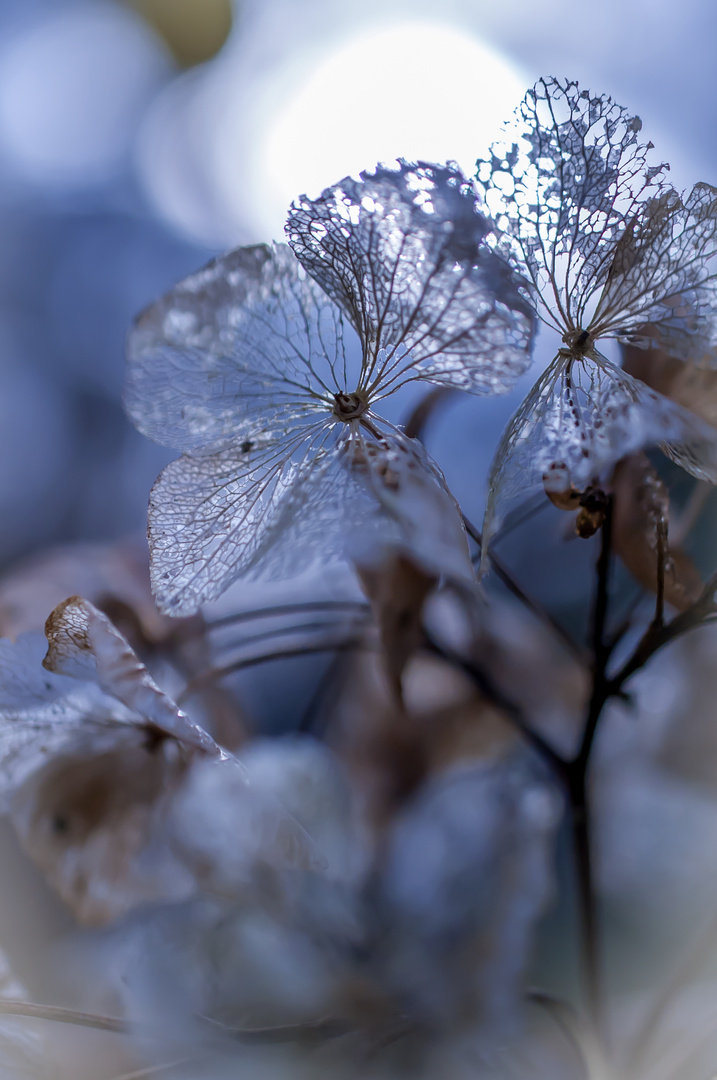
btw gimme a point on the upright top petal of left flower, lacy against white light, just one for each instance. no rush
(402, 253)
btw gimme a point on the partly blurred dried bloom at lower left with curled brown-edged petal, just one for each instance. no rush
(102, 773)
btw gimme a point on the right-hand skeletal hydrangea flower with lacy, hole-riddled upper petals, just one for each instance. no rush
(610, 248)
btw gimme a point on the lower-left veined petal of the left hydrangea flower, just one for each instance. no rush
(214, 518)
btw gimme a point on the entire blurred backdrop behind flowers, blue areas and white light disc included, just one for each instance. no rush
(139, 139)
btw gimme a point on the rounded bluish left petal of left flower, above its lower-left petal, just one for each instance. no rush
(245, 352)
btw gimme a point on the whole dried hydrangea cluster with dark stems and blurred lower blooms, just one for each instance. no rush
(387, 892)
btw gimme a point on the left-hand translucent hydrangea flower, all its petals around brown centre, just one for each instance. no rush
(266, 367)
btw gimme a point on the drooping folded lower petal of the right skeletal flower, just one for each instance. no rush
(581, 418)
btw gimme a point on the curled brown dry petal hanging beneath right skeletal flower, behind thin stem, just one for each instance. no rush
(641, 518)
